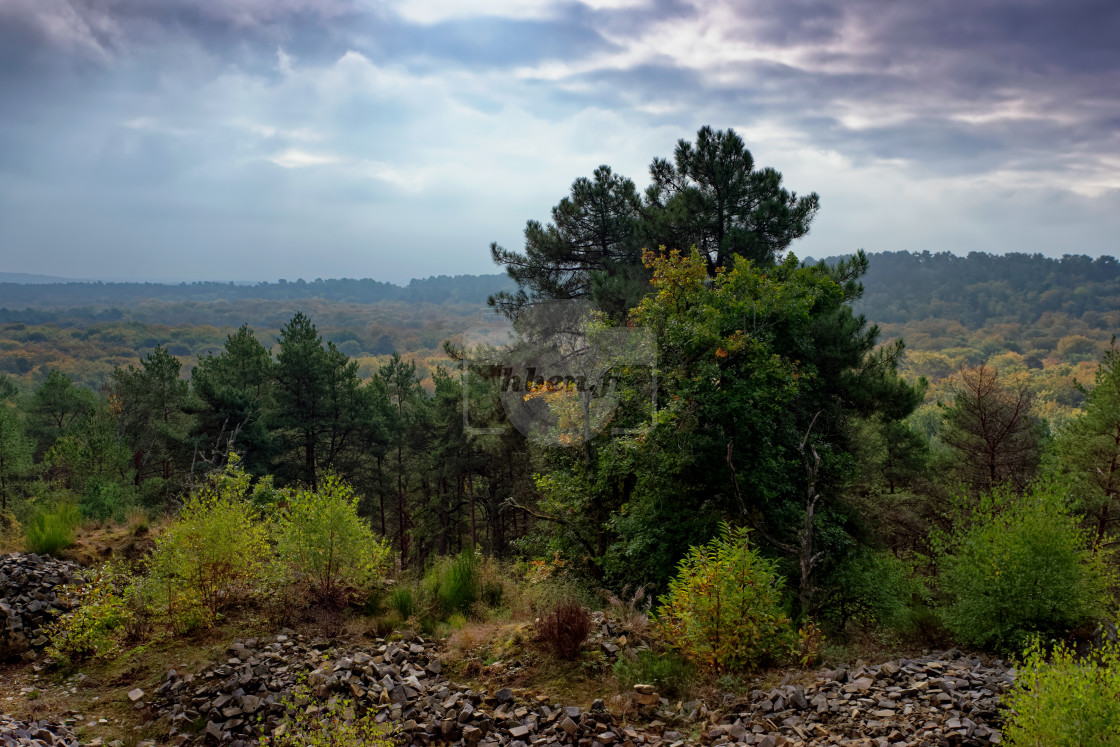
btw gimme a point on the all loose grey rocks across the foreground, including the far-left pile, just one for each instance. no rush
(946, 698)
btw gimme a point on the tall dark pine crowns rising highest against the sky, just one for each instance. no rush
(711, 198)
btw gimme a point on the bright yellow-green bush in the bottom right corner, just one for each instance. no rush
(1066, 702)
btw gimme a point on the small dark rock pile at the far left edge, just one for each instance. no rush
(30, 586)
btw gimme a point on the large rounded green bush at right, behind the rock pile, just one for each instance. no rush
(1021, 566)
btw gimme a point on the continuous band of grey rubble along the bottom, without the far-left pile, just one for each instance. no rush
(940, 699)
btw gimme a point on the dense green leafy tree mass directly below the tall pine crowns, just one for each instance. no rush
(750, 362)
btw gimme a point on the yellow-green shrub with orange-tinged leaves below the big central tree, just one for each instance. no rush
(723, 610)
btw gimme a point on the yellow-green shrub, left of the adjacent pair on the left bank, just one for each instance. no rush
(216, 553)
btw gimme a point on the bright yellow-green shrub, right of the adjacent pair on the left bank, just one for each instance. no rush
(323, 540)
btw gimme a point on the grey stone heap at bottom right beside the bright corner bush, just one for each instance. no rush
(940, 699)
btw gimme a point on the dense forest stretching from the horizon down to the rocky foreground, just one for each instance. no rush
(921, 444)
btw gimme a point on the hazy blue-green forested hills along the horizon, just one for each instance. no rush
(901, 287)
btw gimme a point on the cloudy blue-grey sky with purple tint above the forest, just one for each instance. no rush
(265, 139)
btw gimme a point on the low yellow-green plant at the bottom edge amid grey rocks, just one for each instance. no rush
(311, 723)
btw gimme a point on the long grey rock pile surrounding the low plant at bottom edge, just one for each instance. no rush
(402, 683)
